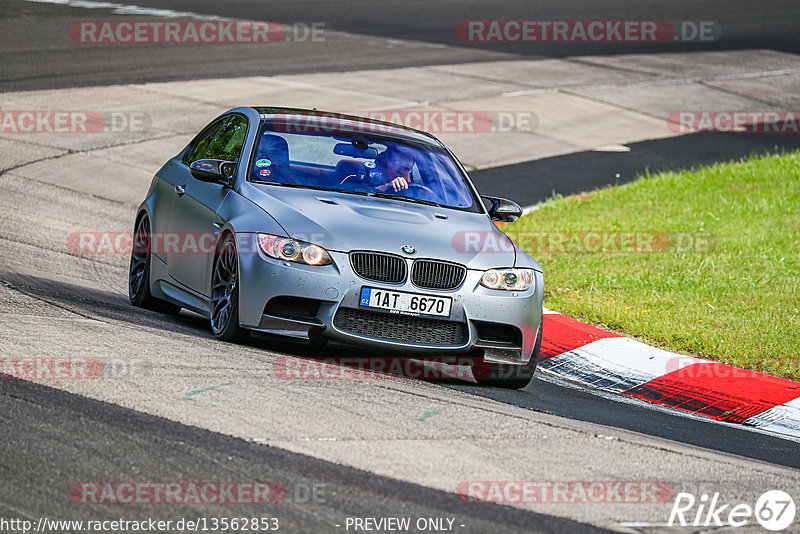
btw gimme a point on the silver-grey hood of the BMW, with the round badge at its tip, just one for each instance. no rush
(344, 222)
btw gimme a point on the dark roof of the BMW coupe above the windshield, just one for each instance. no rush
(364, 125)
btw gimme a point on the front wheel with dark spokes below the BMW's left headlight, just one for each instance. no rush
(225, 293)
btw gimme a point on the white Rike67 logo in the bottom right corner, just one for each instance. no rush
(774, 510)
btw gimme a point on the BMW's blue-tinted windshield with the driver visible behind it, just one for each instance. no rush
(361, 163)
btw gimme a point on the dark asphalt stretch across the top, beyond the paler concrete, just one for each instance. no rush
(37, 53)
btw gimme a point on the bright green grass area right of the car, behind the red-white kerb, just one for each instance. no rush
(720, 274)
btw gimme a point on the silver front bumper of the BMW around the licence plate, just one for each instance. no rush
(336, 289)
